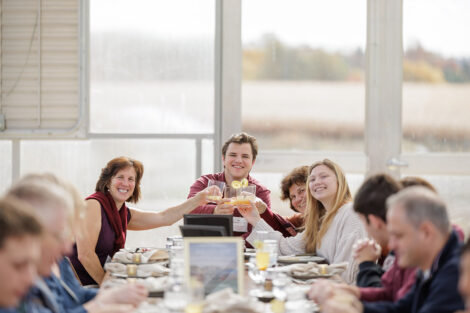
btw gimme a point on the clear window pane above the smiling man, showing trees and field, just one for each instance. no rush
(303, 73)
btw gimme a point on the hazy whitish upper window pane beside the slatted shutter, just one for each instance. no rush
(152, 66)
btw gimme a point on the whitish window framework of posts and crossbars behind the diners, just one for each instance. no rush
(384, 52)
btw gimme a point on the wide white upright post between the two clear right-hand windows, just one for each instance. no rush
(383, 85)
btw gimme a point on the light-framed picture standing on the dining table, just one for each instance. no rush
(217, 262)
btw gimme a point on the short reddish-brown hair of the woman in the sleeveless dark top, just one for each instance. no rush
(114, 166)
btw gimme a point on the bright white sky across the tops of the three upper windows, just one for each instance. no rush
(441, 26)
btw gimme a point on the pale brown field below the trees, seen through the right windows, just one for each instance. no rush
(314, 115)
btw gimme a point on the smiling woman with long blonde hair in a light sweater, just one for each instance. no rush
(331, 225)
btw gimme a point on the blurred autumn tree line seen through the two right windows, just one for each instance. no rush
(271, 59)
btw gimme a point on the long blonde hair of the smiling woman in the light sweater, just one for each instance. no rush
(317, 219)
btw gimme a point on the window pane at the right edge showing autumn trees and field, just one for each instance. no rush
(436, 72)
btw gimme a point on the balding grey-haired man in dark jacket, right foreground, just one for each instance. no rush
(421, 236)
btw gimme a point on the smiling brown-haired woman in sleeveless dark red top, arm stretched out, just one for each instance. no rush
(107, 218)
